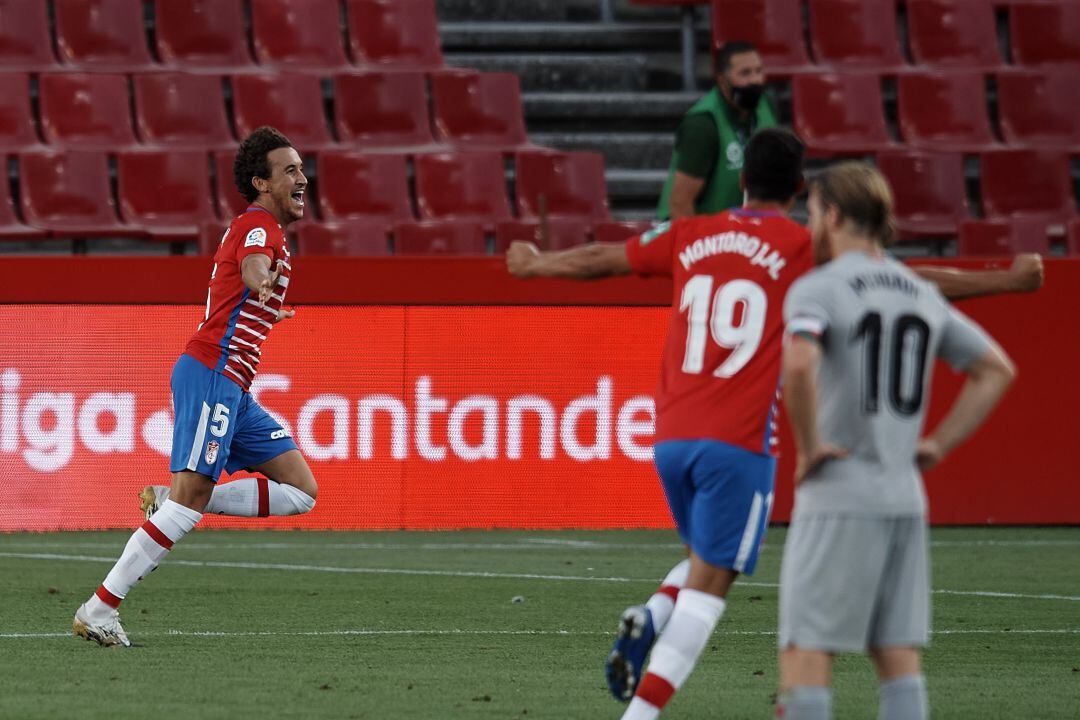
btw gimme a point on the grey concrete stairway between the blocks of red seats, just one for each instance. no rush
(589, 84)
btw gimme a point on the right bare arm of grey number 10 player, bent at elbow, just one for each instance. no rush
(989, 378)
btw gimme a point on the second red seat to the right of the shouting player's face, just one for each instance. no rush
(467, 186)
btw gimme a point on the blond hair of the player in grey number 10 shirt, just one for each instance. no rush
(862, 197)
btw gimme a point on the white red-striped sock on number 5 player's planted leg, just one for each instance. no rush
(144, 552)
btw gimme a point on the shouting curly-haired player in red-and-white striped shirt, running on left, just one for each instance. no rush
(219, 427)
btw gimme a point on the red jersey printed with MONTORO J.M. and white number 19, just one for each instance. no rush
(721, 368)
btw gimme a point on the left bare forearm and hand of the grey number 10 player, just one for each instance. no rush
(800, 368)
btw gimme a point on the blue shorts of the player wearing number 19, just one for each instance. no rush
(721, 497)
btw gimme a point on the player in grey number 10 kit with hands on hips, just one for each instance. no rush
(862, 335)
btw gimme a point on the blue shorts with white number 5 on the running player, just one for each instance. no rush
(219, 427)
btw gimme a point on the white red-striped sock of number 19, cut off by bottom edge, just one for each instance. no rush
(677, 653)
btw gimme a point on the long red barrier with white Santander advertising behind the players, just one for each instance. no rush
(85, 402)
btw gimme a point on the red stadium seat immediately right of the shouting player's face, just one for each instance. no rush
(355, 185)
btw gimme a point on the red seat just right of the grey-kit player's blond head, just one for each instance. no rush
(931, 199)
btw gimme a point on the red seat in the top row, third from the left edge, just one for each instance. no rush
(202, 35)
